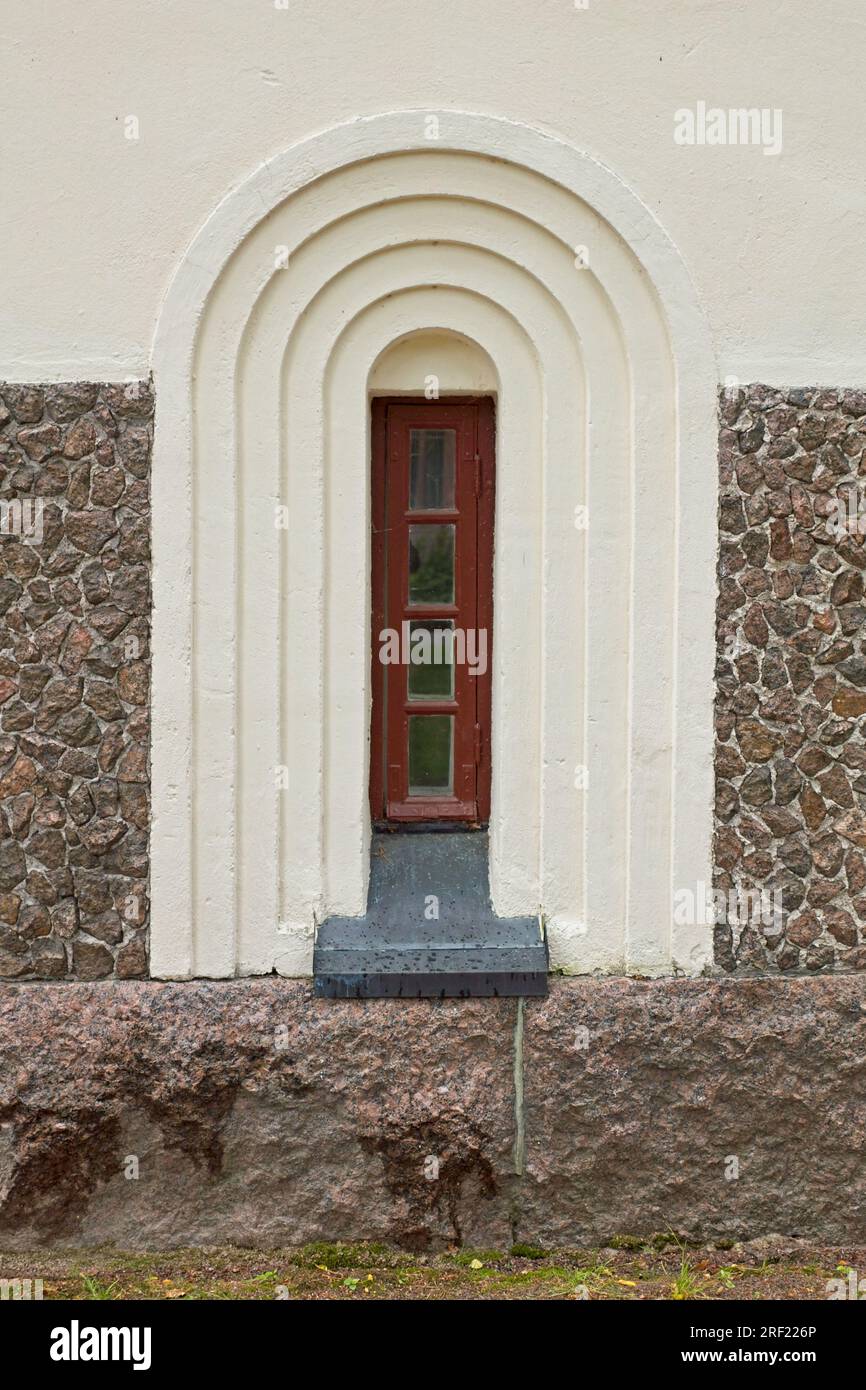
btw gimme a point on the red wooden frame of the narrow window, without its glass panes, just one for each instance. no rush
(473, 608)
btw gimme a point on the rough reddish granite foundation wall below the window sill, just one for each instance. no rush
(248, 1113)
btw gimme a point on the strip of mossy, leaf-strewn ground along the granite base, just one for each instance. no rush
(625, 1271)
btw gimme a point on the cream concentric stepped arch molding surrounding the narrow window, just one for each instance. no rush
(291, 294)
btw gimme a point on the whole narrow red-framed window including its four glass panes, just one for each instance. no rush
(433, 605)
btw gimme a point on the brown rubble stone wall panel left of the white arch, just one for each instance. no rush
(74, 680)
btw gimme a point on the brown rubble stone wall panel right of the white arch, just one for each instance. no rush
(792, 679)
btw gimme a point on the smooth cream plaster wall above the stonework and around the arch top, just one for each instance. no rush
(92, 224)
